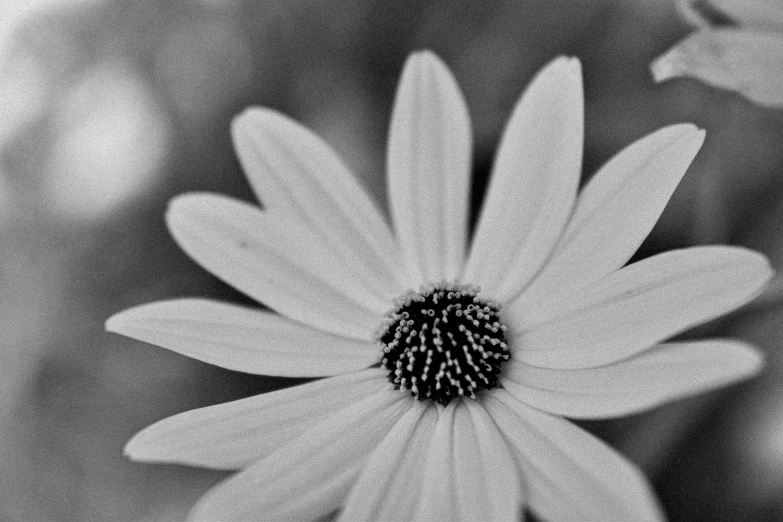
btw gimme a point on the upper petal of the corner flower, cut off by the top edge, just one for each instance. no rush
(758, 14)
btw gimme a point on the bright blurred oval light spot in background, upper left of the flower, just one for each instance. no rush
(111, 139)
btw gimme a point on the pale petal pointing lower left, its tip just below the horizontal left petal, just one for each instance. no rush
(234, 434)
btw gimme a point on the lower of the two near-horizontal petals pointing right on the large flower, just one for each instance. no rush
(667, 372)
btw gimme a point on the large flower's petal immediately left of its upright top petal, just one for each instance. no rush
(296, 174)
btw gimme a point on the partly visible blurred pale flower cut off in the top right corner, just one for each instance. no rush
(738, 46)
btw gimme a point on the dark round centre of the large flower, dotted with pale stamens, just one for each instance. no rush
(443, 342)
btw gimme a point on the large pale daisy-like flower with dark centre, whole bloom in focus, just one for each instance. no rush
(538, 318)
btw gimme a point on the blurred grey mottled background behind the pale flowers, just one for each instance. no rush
(110, 108)
